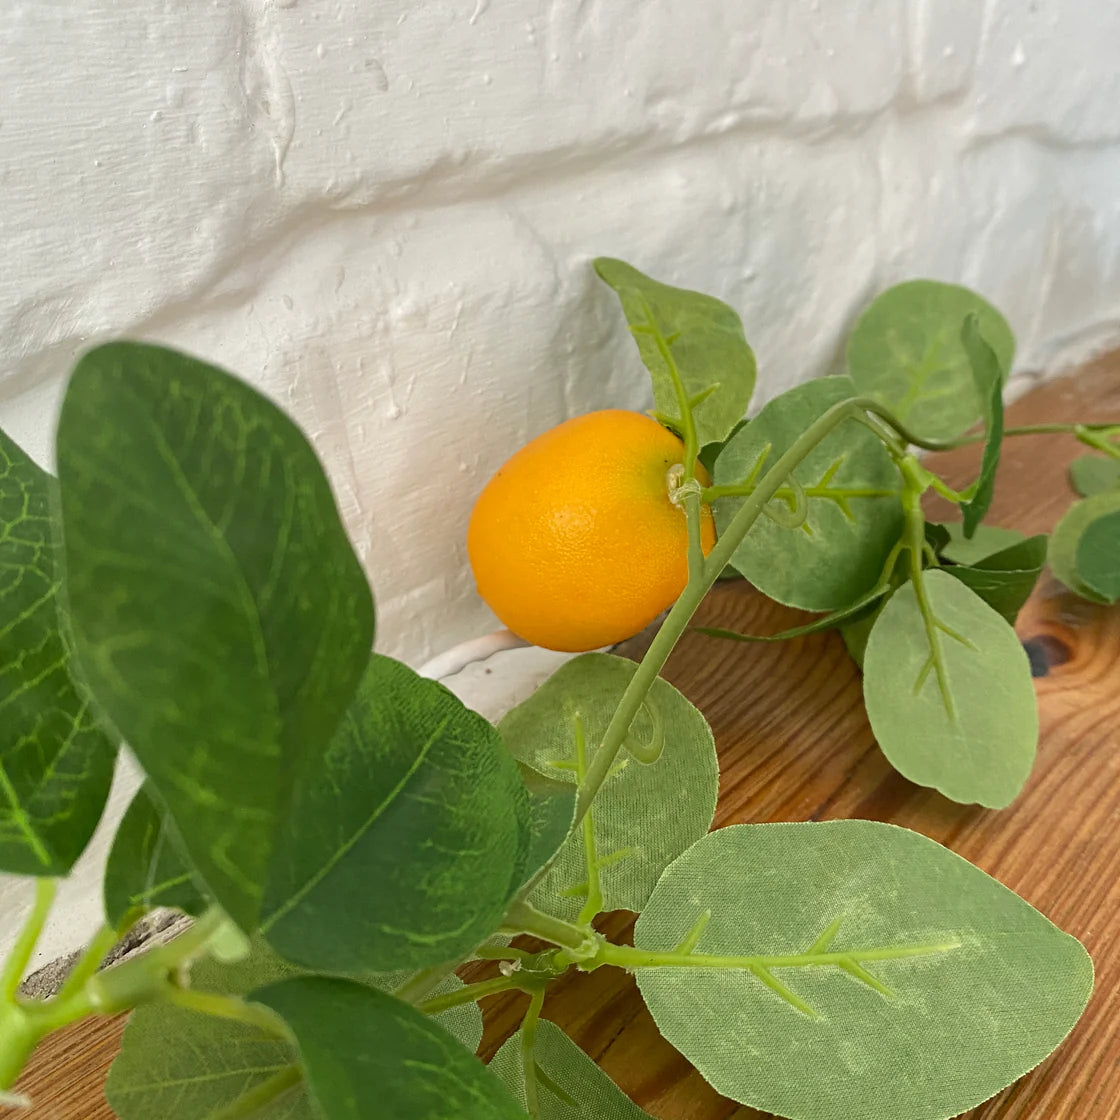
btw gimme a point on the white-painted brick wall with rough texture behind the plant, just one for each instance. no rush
(382, 213)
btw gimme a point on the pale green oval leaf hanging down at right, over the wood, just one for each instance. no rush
(949, 693)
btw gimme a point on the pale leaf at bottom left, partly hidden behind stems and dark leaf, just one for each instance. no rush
(185, 1066)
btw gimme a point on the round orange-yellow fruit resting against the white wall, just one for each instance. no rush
(575, 543)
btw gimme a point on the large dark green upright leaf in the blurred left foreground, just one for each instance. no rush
(220, 614)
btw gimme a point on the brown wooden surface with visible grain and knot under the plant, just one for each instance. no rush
(795, 745)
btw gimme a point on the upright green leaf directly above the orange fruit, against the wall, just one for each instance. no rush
(692, 337)
